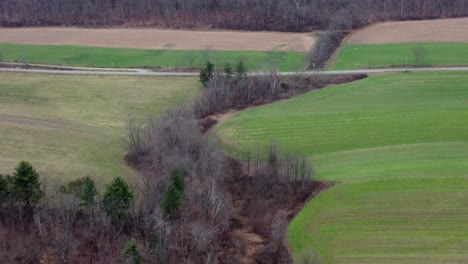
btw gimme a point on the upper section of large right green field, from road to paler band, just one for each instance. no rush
(381, 111)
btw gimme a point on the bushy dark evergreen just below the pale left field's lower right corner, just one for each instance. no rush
(117, 199)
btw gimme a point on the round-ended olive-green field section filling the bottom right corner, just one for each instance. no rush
(404, 221)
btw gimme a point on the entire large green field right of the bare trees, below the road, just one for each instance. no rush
(398, 143)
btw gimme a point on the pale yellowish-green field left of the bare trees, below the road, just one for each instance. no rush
(70, 127)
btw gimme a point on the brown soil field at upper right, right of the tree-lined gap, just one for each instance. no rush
(441, 30)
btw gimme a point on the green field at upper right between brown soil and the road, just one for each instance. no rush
(371, 56)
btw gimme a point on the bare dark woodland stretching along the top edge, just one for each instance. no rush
(280, 15)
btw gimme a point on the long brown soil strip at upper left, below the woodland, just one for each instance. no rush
(159, 39)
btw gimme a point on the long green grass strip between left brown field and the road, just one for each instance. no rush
(164, 59)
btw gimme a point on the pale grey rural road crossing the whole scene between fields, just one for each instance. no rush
(141, 72)
